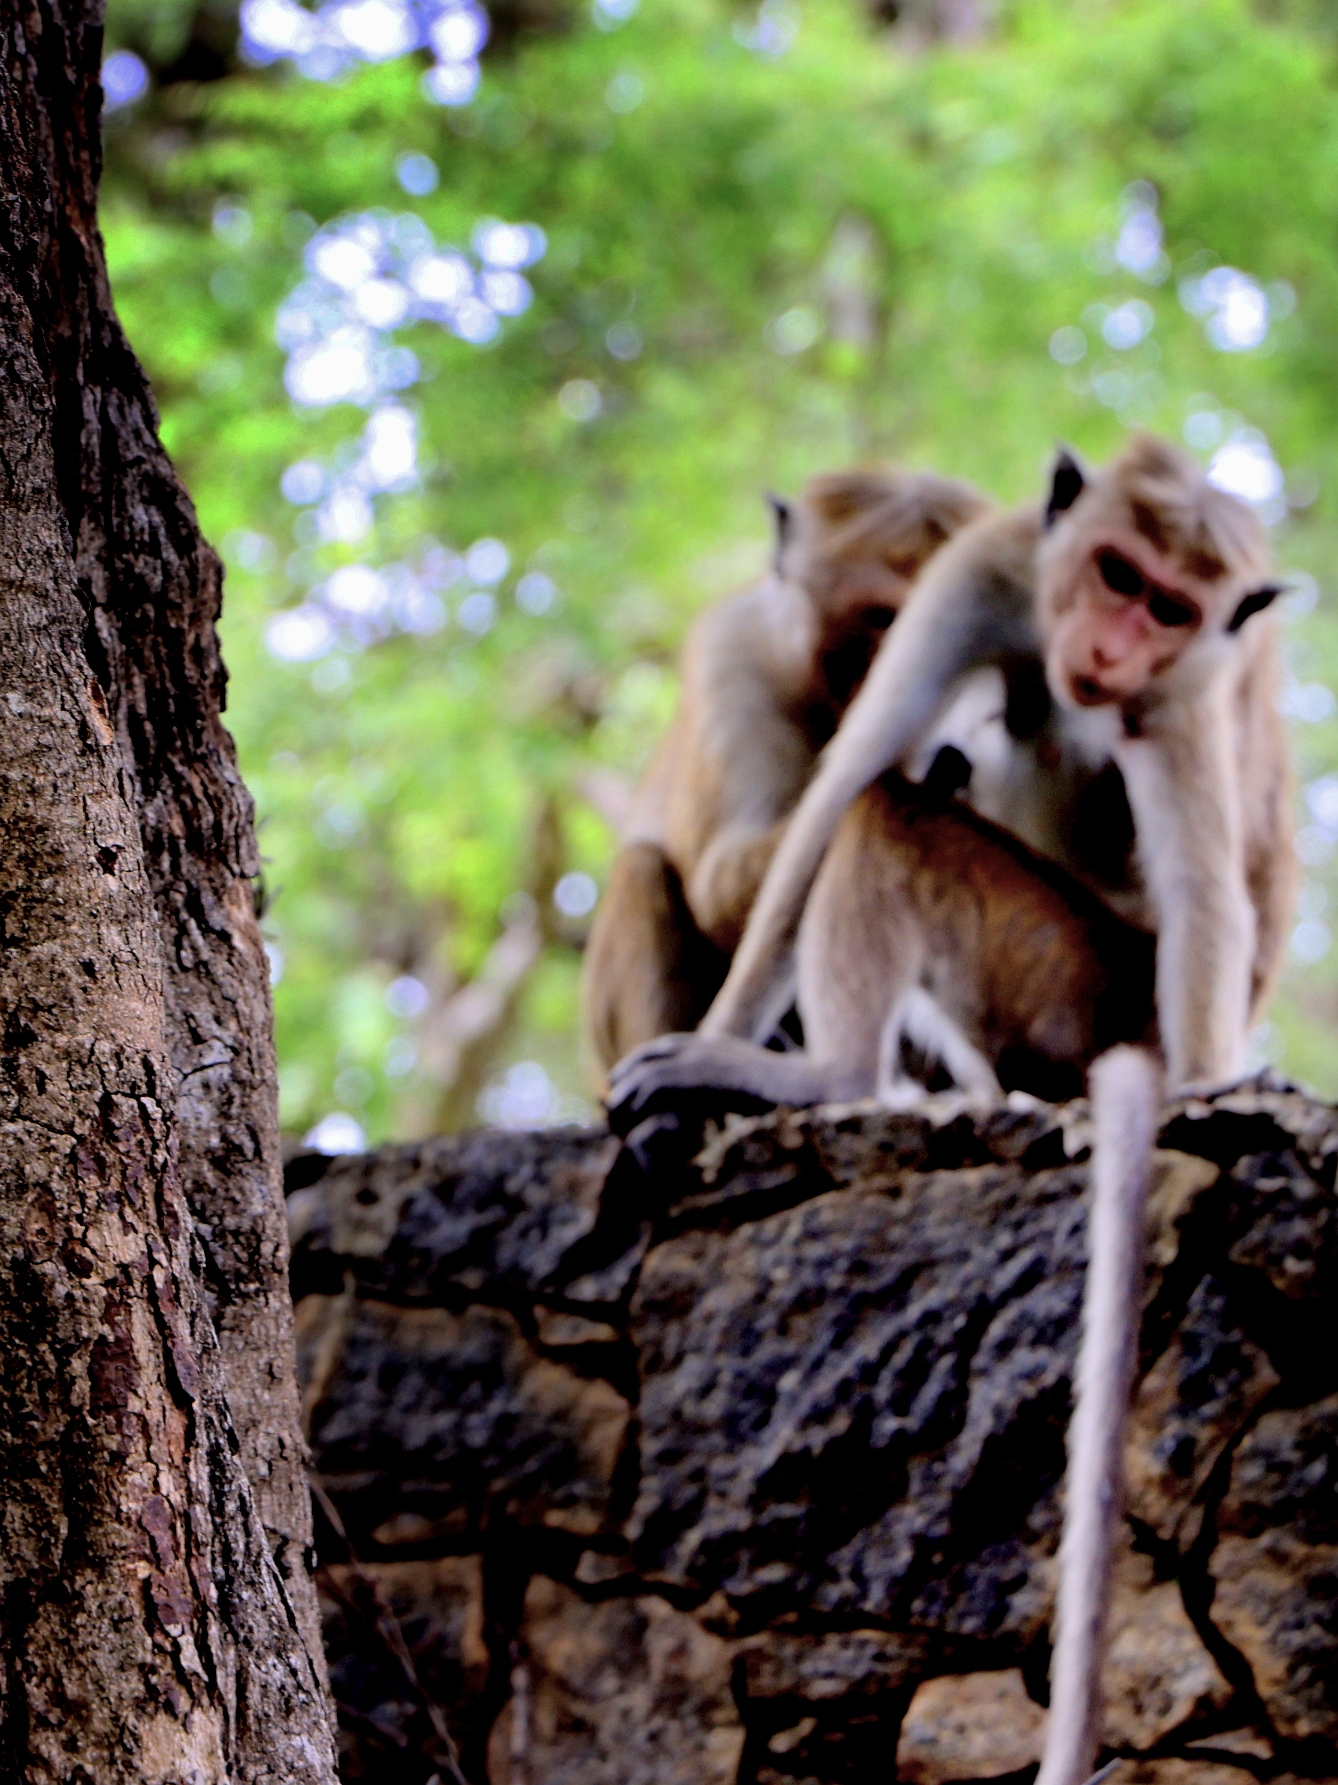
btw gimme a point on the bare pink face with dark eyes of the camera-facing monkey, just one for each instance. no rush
(1132, 615)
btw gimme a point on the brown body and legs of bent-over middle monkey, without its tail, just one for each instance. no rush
(934, 933)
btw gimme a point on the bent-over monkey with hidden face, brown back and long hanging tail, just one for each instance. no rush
(930, 926)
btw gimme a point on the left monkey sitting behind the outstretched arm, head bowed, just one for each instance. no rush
(766, 679)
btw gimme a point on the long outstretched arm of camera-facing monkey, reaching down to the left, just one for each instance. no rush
(970, 608)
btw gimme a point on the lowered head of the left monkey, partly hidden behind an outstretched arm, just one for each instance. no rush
(855, 542)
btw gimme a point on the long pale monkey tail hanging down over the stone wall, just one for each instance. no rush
(1127, 1102)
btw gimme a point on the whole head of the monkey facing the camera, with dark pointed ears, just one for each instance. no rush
(1146, 570)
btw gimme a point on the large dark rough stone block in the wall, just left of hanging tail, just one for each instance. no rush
(861, 1402)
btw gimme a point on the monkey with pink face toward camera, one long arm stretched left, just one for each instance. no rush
(1121, 619)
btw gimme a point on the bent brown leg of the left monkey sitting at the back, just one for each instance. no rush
(648, 968)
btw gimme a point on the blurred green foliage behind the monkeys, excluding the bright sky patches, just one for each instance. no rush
(929, 220)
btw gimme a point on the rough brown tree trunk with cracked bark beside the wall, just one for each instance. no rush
(151, 1457)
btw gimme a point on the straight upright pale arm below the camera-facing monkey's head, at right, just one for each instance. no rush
(1185, 799)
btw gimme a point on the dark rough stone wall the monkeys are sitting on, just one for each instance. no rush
(734, 1456)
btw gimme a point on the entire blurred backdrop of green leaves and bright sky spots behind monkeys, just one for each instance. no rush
(479, 336)
